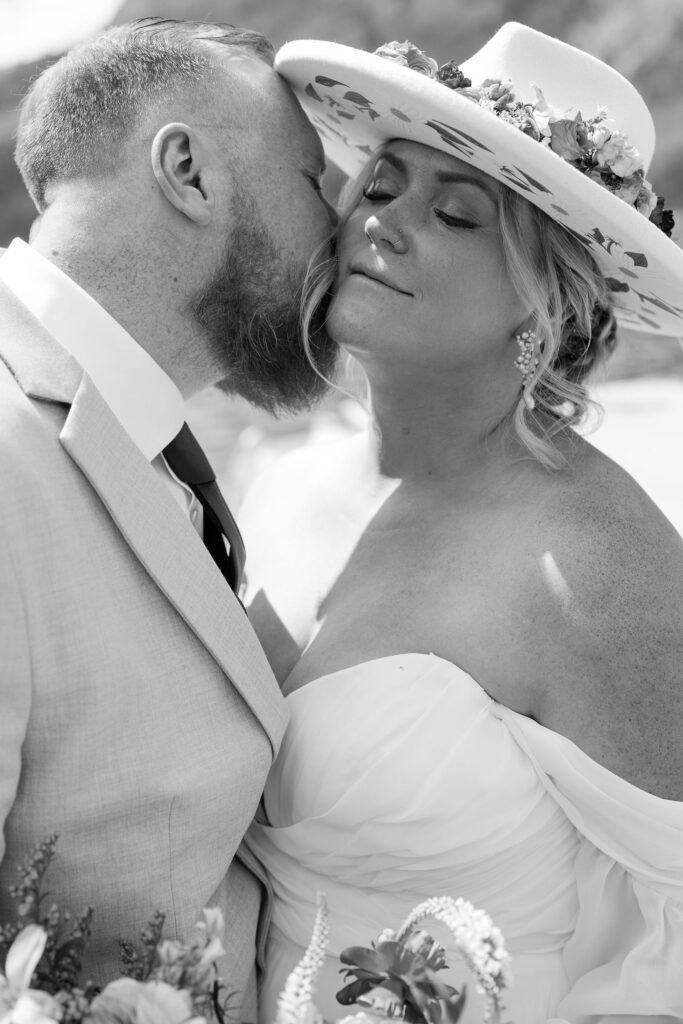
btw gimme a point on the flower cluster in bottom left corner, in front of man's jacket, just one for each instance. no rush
(162, 983)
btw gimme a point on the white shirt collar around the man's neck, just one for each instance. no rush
(143, 398)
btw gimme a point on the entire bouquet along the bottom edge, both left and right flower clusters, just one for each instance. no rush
(170, 983)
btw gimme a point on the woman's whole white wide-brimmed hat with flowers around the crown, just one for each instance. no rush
(547, 120)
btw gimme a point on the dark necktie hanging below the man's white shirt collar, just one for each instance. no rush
(186, 458)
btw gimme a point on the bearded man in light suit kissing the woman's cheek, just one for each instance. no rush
(178, 185)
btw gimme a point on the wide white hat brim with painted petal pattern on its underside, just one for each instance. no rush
(358, 102)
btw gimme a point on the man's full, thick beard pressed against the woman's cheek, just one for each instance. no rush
(250, 310)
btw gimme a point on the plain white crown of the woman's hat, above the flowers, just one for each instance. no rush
(570, 79)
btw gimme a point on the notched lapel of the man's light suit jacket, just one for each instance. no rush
(146, 514)
